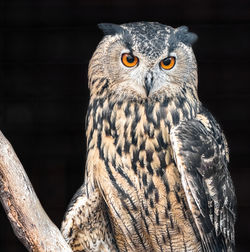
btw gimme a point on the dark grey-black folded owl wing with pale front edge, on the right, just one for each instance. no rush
(201, 155)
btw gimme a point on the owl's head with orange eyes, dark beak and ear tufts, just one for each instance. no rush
(143, 60)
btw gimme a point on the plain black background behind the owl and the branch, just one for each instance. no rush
(45, 47)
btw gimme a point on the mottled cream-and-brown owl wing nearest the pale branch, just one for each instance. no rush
(86, 226)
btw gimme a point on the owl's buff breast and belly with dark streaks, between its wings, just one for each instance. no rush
(135, 170)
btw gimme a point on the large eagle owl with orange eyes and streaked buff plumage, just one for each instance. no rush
(156, 176)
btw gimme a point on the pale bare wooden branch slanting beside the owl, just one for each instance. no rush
(26, 215)
